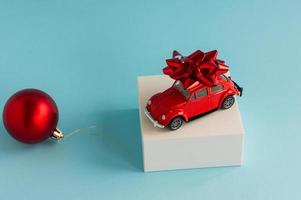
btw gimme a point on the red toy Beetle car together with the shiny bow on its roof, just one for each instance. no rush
(179, 103)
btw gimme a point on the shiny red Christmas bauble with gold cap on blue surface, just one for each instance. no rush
(31, 116)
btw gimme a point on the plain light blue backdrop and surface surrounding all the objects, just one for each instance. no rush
(87, 55)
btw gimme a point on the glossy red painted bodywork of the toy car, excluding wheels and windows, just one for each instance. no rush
(171, 103)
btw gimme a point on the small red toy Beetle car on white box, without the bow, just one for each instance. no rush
(178, 103)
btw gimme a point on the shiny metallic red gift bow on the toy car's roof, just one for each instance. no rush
(199, 66)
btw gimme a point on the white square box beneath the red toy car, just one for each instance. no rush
(213, 140)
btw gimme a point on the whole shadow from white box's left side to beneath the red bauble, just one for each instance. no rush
(116, 145)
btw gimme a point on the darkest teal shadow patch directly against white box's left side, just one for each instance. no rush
(121, 137)
